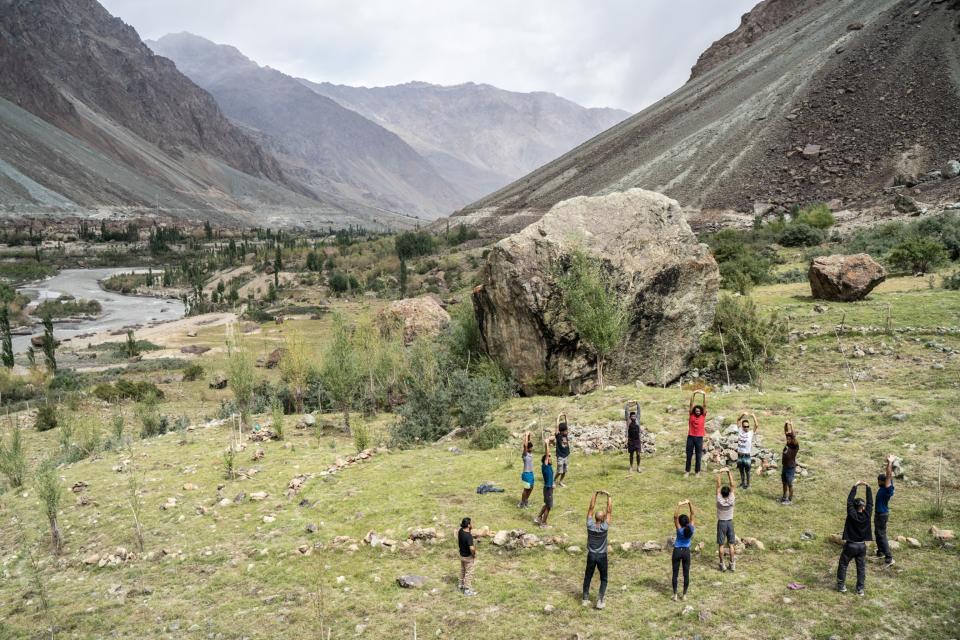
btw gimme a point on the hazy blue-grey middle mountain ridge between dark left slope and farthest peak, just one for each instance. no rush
(326, 146)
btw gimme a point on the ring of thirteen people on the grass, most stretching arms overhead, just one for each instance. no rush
(856, 532)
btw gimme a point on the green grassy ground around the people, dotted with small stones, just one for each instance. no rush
(230, 573)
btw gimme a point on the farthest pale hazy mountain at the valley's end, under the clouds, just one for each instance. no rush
(477, 136)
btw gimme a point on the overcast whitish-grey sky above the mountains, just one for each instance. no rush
(600, 53)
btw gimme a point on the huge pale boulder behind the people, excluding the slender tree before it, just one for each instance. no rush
(670, 280)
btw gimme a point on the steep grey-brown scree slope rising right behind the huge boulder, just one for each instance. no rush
(834, 103)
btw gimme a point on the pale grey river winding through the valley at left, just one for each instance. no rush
(118, 310)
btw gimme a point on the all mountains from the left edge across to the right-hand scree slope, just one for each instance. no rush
(93, 122)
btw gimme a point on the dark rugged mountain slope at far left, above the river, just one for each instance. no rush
(91, 121)
